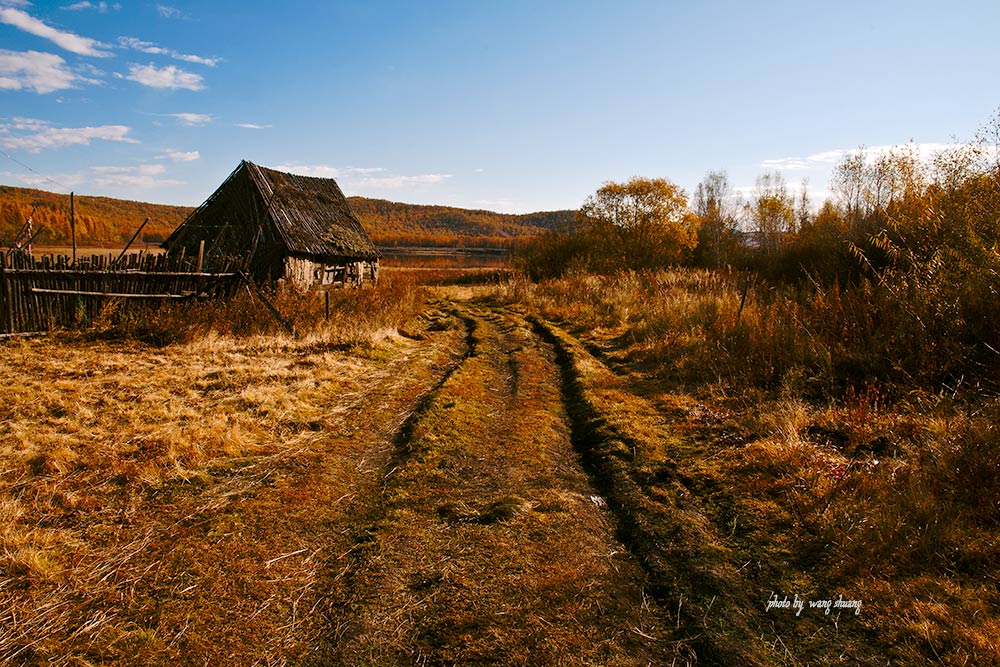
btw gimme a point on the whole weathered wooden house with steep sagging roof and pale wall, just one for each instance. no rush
(278, 226)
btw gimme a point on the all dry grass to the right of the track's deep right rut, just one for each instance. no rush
(818, 487)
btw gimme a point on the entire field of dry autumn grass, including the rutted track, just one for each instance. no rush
(485, 471)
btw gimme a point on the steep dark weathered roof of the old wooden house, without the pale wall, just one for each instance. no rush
(255, 205)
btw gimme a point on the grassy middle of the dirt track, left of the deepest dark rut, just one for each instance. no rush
(487, 543)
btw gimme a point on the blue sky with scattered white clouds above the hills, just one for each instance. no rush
(511, 106)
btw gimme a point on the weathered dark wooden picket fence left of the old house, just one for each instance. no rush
(48, 292)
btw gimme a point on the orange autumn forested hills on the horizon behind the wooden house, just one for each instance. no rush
(107, 221)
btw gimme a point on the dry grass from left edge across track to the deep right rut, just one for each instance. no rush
(401, 489)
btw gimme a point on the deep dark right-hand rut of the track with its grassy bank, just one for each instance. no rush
(626, 445)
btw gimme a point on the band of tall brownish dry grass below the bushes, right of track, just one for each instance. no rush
(697, 326)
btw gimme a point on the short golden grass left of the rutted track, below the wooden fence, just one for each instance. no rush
(160, 503)
